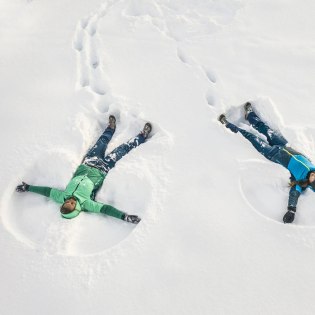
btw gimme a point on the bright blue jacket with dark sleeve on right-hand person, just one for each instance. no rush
(299, 166)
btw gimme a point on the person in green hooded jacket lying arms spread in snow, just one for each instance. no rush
(88, 178)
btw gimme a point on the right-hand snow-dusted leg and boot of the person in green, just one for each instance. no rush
(113, 157)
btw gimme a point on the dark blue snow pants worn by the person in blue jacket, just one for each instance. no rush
(270, 149)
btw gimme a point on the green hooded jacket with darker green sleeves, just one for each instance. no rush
(84, 184)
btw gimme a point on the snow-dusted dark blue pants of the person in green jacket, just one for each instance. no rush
(96, 155)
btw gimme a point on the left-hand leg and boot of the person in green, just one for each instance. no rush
(99, 148)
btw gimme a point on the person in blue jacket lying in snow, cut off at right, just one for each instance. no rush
(276, 150)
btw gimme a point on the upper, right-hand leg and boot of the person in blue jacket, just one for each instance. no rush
(273, 137)
